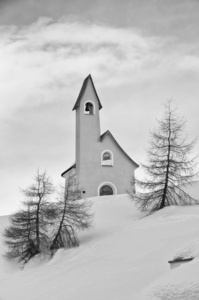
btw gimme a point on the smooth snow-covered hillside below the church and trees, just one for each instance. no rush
(125, 256)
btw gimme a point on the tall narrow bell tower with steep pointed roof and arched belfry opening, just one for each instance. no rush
(87, 109)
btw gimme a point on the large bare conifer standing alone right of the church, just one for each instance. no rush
(169, 167)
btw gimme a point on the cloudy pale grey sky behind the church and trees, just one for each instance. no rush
(140, 54)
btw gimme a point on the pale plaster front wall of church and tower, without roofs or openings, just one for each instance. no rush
(89, 171)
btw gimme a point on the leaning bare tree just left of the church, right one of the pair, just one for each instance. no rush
(73, 215)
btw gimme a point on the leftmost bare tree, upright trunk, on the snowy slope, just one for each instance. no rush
(28, 233)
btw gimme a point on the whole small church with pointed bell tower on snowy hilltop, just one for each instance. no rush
(102, 167)
